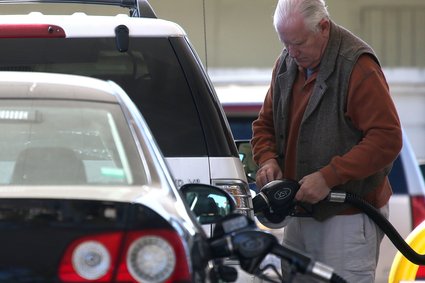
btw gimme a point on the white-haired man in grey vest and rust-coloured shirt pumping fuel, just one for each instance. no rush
(328, 121)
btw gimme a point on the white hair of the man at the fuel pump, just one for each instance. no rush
(313, 11)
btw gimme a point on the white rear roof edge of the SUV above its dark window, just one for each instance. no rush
(83, 25)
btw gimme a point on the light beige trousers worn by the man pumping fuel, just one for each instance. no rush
(347, 243)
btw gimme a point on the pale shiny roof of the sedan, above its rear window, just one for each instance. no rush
(48, 85)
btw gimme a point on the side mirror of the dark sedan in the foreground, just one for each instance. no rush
(209, 204)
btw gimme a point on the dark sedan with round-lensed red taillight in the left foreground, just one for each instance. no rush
(85, 193)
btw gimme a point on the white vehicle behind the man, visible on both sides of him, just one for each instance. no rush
(407, 205)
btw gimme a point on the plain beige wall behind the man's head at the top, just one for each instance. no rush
(239, 33)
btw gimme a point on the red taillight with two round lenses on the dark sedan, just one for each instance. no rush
(136, 256)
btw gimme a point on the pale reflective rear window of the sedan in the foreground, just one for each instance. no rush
(53, 142)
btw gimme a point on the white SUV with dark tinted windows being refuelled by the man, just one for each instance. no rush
(153, 61)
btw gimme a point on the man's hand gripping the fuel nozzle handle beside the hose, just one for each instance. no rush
(313, 188)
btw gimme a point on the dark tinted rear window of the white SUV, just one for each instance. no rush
(149, 72)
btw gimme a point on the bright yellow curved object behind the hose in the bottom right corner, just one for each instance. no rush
(402, 269)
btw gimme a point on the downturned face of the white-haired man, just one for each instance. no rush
(304, 45)
